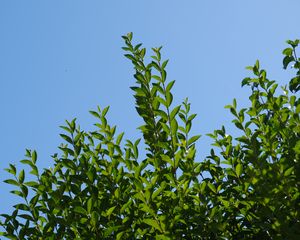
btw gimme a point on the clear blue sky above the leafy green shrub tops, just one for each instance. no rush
(60, 59)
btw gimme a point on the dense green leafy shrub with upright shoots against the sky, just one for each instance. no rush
(102, 188)
